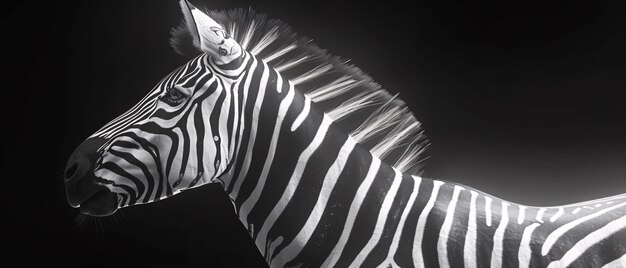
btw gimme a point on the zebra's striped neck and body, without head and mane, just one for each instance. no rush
(318, 199)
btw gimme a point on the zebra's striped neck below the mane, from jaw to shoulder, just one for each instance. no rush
(299, 183)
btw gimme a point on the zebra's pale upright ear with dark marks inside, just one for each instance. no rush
(209, 36)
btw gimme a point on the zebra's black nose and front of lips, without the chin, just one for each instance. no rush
(80, 182)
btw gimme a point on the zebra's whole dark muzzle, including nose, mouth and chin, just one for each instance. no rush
(82, 189)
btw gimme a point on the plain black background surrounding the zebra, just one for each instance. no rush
(521, 99)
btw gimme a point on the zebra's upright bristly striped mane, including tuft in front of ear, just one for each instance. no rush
(378, 120)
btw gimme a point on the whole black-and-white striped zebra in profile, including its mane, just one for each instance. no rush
(271, 118)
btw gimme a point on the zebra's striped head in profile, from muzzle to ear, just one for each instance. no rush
(173, 139)
